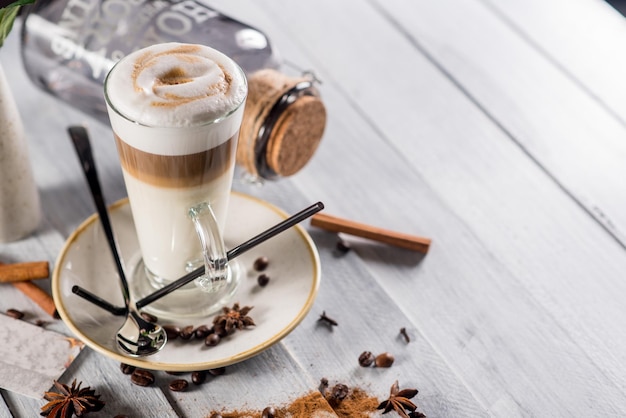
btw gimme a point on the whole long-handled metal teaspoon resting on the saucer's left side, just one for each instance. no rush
(136, 337)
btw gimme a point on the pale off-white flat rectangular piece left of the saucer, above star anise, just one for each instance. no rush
(31, 358)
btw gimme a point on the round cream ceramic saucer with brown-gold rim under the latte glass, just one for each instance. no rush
(279, 307)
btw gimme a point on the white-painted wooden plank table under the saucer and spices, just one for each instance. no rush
(498, 129)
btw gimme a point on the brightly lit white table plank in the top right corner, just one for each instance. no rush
(582, 38)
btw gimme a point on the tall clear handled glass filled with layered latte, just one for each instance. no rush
(175, 110)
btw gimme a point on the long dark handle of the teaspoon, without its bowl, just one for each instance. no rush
(80, 139)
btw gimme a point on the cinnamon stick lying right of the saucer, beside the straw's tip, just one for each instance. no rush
(398, 239)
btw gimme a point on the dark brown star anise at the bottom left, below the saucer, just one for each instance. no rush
(72, 400)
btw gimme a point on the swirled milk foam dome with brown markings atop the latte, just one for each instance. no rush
(175, 84)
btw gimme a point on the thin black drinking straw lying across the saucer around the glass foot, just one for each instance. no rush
(235, 252)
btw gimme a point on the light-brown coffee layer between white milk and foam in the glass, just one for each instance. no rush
(177, 170)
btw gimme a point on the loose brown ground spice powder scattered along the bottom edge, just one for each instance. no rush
(358, 404)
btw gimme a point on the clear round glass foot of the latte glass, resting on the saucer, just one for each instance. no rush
(188, 302)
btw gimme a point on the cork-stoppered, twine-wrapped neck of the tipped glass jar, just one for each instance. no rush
(283, 124)
